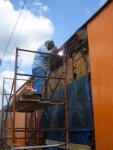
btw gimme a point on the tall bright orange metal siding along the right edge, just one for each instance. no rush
(100, 36)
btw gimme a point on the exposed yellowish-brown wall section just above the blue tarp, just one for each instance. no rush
(77, 68)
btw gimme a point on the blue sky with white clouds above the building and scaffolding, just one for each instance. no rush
(29, 23)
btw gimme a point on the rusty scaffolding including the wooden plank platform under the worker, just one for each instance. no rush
(30, 104)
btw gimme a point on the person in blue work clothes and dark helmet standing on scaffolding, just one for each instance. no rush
(41, 65)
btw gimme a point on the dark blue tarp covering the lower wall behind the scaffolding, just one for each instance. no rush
(80, 112)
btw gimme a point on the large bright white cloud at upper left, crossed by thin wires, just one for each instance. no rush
(31, 30)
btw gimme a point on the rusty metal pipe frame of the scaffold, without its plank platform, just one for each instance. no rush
(64, 102)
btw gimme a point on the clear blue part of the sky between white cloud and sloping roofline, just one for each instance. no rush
(67, 15)
